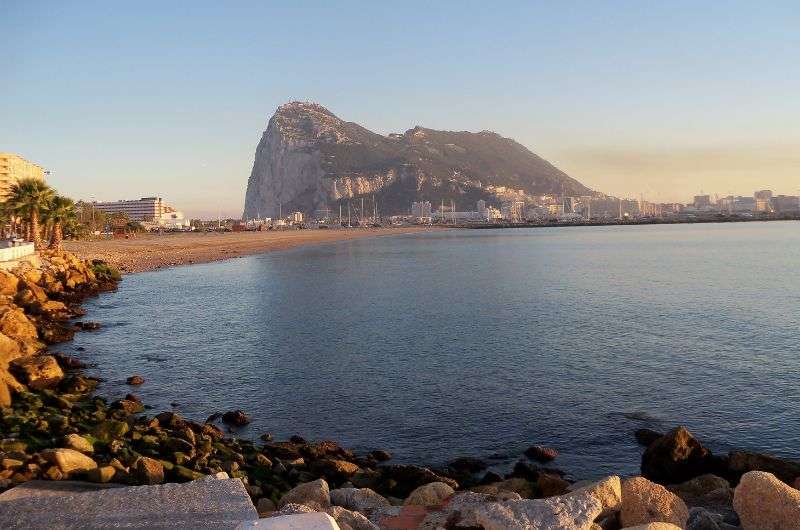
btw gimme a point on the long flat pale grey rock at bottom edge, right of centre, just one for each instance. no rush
(568, 512)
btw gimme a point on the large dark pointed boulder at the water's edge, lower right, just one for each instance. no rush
(675, 457)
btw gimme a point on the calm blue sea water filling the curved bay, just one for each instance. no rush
(479, 343)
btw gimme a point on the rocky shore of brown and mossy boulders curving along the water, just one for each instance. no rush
(55, 427)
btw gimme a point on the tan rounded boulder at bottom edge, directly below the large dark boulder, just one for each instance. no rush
(646, 502)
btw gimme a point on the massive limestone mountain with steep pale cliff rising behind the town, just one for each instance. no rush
(310, 160)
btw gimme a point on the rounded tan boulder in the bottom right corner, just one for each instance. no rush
(763, 502)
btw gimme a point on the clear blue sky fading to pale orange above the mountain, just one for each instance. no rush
(661, 99)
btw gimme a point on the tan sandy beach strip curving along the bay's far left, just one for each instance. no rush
(155, 251)
